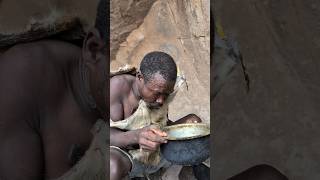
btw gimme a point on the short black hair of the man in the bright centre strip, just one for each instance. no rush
(158, 62)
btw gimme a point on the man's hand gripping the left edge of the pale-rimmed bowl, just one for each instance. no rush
(150, 137)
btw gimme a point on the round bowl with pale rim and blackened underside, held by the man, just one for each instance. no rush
(188, 144)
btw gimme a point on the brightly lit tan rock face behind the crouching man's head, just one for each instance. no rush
(180, 28)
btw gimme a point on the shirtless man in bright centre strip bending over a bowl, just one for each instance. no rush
(135, 101)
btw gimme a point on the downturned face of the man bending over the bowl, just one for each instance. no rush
(156, 91)
